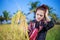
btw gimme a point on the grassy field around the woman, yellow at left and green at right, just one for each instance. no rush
(7, 33)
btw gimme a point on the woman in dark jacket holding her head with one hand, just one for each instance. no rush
(41, 24)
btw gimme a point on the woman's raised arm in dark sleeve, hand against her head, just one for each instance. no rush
(50, 22)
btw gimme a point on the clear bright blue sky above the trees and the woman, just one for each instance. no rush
(13, 5)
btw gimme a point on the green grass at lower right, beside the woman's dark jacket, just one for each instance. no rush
(54, 33)
